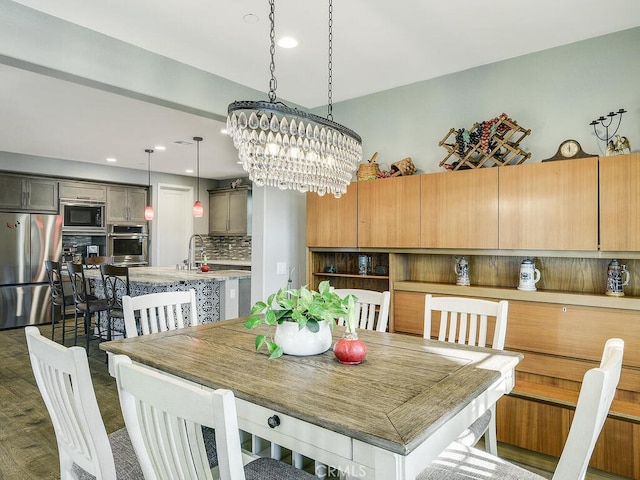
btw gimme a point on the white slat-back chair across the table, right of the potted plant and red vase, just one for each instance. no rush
(466, 321)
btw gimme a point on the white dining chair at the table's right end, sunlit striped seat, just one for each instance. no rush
(461, 462)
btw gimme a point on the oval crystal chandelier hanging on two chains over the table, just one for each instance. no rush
(287, 148)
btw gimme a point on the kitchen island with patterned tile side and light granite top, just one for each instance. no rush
(220, 294)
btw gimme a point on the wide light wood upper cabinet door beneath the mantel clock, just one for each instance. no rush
(549, 206)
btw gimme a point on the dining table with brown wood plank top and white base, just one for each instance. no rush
(386, 418)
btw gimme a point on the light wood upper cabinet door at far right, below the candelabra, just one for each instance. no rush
(620, 203)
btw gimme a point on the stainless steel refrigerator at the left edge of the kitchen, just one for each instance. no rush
(26, 241)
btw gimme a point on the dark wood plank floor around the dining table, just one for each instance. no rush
(28, 449)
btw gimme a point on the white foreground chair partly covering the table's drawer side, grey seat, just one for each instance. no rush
(166, 416)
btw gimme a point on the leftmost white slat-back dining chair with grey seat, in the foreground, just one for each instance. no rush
(85, 450)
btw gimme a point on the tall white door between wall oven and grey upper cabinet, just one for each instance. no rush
(174, 220)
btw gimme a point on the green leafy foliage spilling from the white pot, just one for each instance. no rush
(303, 306)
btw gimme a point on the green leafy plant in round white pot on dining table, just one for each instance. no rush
(299, 321)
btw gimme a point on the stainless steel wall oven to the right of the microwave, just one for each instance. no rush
(128, 244)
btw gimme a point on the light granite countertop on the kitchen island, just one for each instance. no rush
(171, 274)
